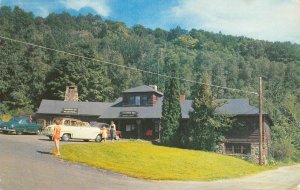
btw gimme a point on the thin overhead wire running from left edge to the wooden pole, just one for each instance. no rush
(127, 67)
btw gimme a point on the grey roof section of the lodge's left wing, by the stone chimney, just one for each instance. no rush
(84, 108)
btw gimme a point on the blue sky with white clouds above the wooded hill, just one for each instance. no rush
(271, 20)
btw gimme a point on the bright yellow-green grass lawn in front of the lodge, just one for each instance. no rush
(144, 160)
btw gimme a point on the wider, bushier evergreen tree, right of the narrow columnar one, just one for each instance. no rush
(205, 127)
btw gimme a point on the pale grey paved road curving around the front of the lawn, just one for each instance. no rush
(25, 163)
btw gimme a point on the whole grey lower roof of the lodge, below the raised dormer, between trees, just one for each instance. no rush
(112, 110)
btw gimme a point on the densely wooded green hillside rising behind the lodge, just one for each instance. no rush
(29, 74)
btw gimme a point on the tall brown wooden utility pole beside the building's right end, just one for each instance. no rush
(260, 124)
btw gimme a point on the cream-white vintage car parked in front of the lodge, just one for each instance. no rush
(74, 129)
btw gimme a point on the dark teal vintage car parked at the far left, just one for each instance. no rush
(20, 125)
